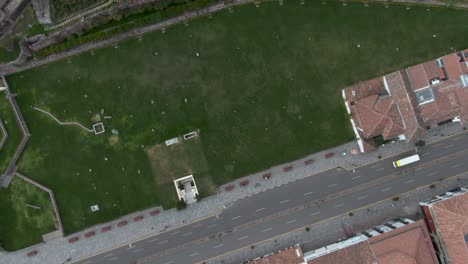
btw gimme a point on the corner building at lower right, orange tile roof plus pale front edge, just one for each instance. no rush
(447, 218)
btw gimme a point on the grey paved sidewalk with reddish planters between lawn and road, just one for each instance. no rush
(88, 243)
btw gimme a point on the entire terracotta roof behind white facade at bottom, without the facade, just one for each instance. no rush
(410, 244)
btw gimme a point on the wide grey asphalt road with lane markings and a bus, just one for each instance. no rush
(294, 206)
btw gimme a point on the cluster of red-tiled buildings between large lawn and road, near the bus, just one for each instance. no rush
(404, 104)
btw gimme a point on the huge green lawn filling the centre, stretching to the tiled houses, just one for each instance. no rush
(263, 90)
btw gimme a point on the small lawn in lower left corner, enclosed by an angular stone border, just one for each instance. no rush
(20, 225)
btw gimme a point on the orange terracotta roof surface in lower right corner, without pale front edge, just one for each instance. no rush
(451, 219)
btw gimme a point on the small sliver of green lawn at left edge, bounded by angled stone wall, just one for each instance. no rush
(7, 115)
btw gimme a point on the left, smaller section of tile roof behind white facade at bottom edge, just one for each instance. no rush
(360, 253)
